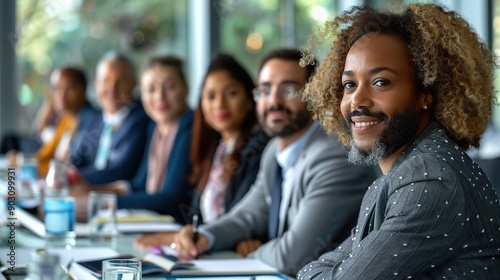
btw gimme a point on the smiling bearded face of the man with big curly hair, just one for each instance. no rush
(381, 100)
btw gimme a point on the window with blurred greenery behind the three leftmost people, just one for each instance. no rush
(54, 33)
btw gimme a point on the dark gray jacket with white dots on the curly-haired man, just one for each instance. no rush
(434, 215)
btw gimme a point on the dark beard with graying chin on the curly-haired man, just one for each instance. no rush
(399, 132)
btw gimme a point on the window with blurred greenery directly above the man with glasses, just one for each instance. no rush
(250, 29)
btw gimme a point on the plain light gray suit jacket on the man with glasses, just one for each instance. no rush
(326, 194)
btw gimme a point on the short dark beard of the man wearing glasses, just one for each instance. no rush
(289, 126)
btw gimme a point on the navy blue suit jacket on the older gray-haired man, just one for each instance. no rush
(126, 147)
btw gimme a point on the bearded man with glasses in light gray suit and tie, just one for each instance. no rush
(304, 199)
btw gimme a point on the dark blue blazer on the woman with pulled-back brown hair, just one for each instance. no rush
(173, 194)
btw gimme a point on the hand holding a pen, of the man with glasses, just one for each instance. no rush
(184, 245)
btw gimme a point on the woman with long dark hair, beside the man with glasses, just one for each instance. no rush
(226, 146)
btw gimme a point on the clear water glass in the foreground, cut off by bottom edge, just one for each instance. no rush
(121, 269)
